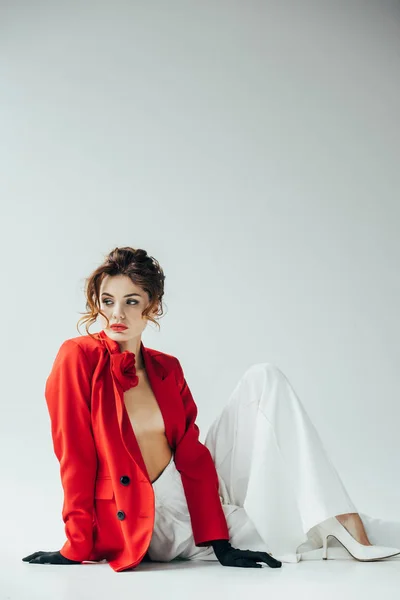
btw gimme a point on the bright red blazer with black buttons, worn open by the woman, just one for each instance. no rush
(109, 505)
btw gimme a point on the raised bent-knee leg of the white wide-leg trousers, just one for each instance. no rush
(273, 463)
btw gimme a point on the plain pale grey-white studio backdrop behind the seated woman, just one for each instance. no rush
(252, 148)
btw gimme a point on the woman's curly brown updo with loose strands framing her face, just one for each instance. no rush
(144, 270)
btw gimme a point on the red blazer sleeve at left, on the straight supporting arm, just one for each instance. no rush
(67, 393)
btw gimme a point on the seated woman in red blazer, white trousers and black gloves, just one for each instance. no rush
(139, 485)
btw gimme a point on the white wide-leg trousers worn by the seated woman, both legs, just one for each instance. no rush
(276, 480)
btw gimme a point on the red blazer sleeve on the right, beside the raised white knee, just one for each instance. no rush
(199, 476)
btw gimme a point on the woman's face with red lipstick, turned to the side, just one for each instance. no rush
(123, 302)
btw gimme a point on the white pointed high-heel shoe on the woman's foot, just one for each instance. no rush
(333, 528)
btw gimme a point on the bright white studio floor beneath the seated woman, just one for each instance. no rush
(338, 578)
